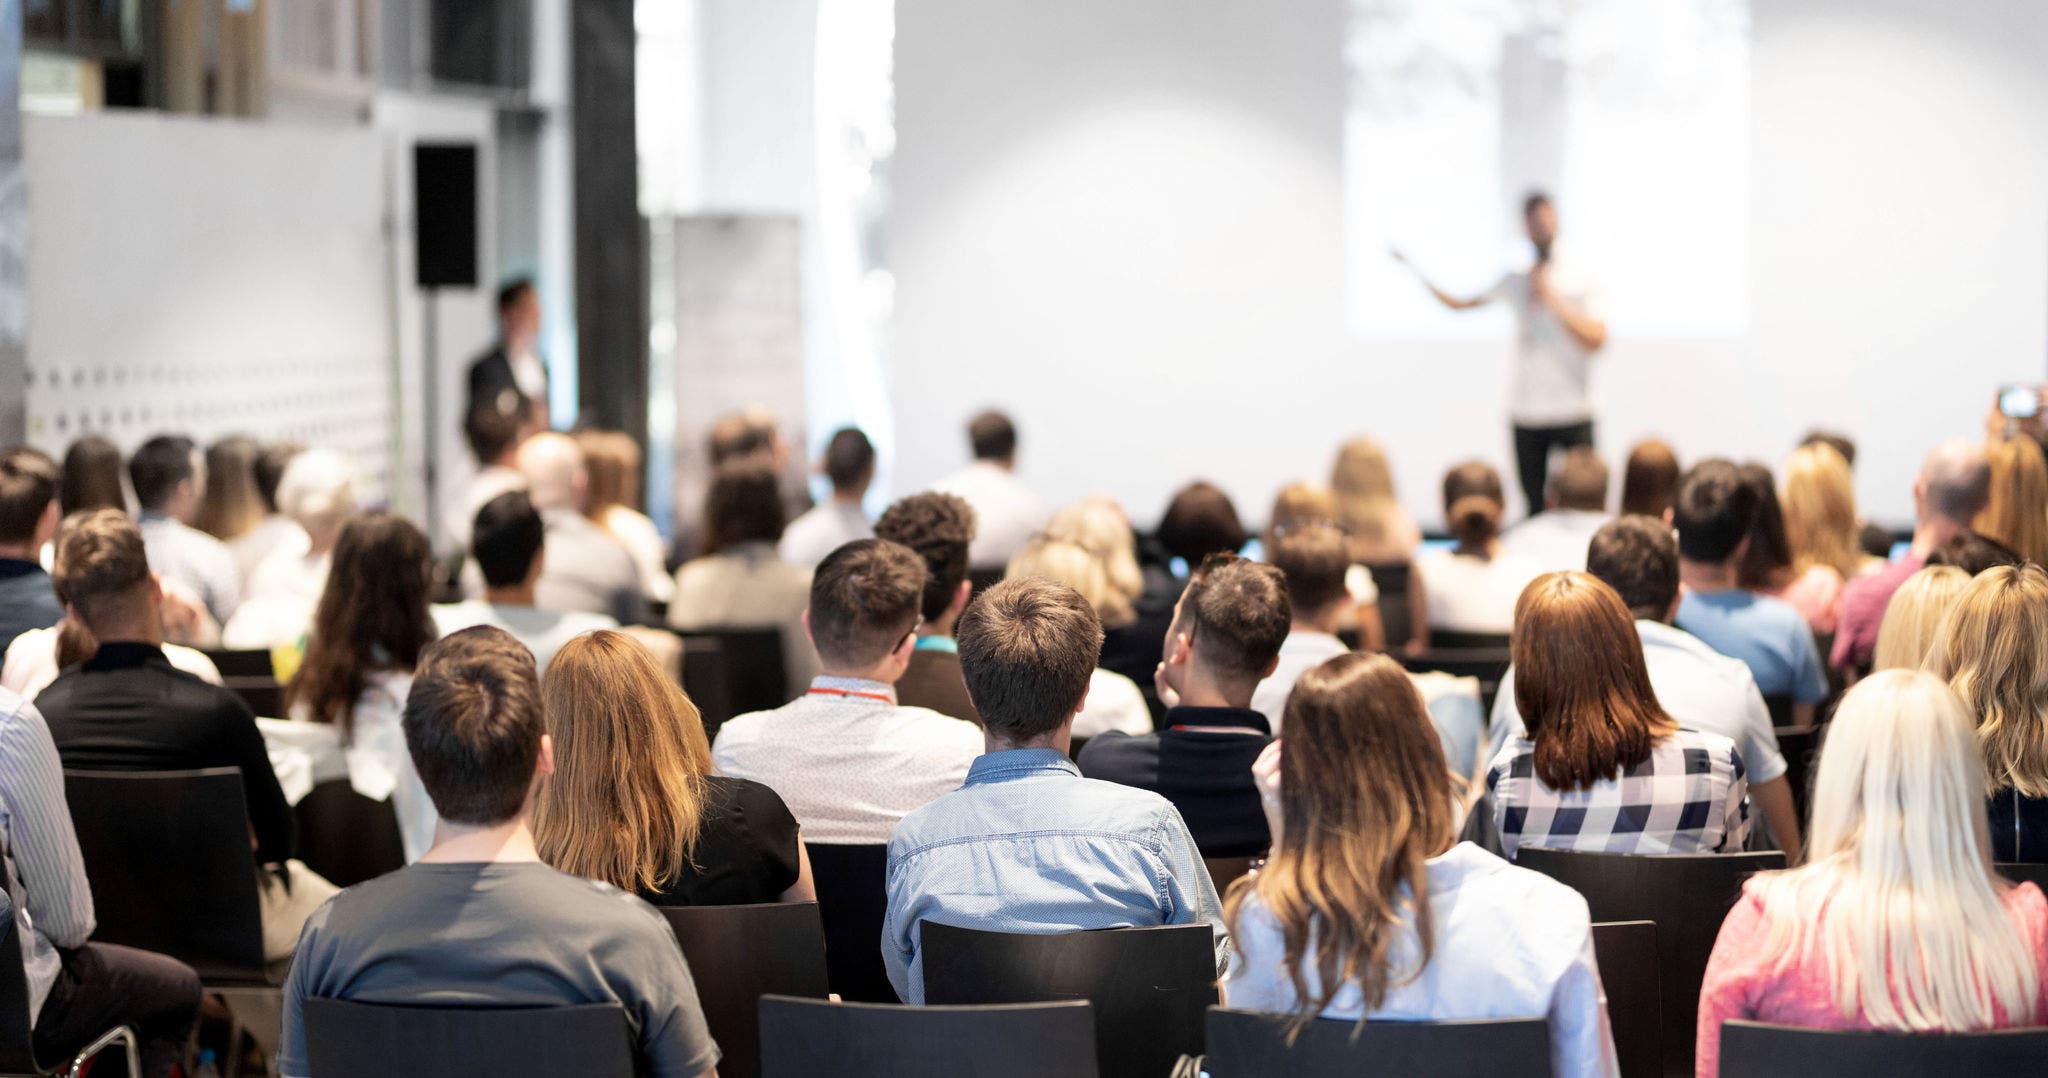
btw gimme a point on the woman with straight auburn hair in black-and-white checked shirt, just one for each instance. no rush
(1603, 765)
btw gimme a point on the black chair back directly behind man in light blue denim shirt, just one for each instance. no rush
(1150, 987)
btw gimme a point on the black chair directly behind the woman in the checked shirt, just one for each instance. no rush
(1684, 895)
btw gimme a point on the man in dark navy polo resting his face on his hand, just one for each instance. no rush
(1226, 638)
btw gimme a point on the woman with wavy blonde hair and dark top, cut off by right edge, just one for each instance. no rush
(1994, 653)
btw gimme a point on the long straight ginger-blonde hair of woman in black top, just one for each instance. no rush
(628, 794)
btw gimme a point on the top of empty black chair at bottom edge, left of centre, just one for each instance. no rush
(851, 1040)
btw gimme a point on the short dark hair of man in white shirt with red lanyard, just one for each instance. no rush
(865, 599)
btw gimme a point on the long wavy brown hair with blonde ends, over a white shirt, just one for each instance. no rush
(1365, 802)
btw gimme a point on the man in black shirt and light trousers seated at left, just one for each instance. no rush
(130, 710)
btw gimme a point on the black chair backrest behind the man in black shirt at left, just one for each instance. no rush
(171, 866)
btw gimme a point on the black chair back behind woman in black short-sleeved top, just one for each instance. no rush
(740, 954)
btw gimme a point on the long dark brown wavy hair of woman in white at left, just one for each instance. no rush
(374, 616)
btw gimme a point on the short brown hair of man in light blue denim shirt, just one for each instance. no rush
(1027, 651)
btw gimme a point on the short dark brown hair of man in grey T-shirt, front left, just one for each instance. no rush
(474, 724)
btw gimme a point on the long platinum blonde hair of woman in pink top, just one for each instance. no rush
(1916, 931)
